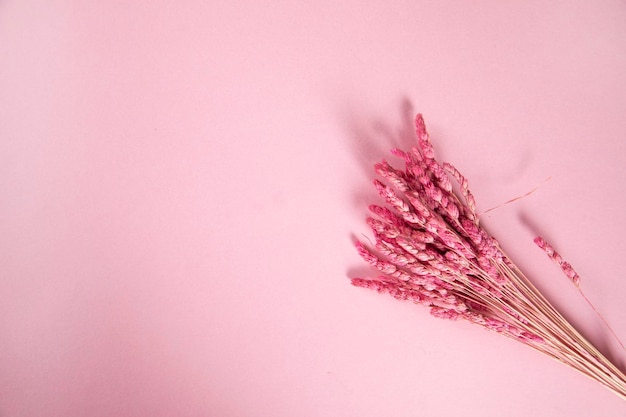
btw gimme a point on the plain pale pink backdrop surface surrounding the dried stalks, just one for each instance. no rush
(180, 181)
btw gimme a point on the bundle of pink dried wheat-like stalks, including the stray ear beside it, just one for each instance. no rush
(431, 249)
